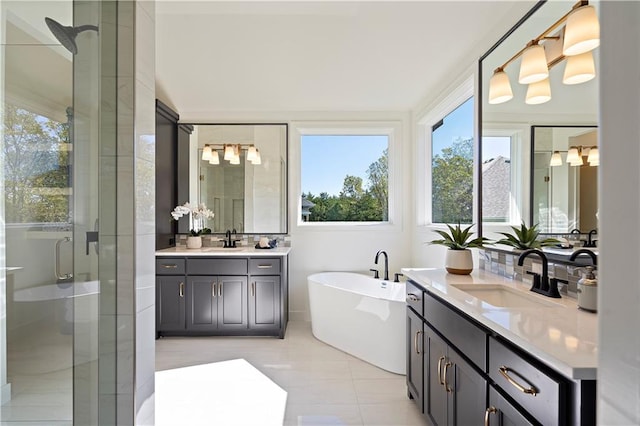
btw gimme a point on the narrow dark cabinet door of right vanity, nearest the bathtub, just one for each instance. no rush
(415, 345)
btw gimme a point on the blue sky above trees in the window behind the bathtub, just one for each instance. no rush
(327, 159)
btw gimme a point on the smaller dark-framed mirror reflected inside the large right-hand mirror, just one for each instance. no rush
(564, 178)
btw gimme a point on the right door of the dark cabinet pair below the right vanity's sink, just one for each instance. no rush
(468, 396)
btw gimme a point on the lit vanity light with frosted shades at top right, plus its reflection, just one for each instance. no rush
(580, 35)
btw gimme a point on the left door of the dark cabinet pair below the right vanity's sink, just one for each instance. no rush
(435, 362)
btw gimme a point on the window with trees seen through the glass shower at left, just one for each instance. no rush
(36, 153)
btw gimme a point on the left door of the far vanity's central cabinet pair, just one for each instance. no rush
(201, 303)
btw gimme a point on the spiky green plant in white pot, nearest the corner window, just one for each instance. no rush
(459, 259)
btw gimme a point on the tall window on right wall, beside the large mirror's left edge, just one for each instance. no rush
(452, 166)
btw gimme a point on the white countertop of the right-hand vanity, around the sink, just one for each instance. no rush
(556, 332)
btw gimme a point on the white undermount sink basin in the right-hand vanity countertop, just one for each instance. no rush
(504, 297)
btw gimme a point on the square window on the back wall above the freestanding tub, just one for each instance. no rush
(345, 177)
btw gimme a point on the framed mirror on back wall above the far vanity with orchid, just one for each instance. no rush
(240, 173)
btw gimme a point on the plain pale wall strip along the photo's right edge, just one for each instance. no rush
(619, 190)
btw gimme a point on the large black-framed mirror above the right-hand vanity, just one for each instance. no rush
(507, 129)
